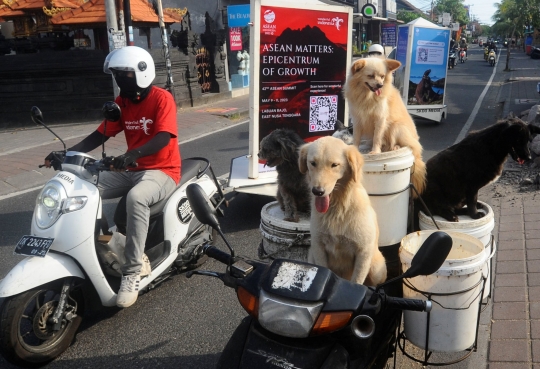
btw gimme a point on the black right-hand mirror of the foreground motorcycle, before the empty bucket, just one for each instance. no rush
(430, 256)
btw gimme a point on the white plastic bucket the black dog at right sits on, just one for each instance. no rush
(480, 228)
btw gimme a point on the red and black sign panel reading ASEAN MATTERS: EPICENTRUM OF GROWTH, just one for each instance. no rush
(303, 61)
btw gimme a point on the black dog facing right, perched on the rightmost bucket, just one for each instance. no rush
(455, 175)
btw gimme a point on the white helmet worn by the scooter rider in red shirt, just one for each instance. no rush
(132, 58)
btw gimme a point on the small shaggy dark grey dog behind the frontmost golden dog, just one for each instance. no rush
(280, 149)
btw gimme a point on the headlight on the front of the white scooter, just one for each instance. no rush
(49, 204)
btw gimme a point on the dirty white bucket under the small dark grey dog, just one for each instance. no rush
(283, 239)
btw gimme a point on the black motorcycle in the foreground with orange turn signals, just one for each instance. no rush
(304, 316)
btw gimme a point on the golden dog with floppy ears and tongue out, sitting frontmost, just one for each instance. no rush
(344, 230)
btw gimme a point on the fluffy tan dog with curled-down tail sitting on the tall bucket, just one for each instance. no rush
(378, 112)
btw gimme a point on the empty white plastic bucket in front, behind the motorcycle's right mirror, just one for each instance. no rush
(454, 316)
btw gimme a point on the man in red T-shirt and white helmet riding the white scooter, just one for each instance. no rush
(150, 169)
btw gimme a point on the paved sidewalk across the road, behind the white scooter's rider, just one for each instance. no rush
(21, 151)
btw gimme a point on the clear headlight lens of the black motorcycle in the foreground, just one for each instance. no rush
(287, 318)
